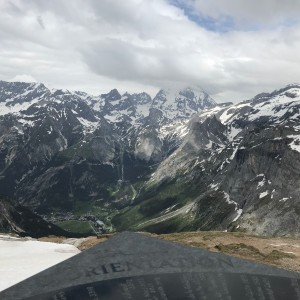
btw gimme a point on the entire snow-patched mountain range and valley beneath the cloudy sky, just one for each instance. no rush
(177, 162)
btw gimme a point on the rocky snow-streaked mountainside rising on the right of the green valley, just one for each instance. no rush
(236, 169)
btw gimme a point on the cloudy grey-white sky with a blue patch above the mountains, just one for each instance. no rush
(232, 49)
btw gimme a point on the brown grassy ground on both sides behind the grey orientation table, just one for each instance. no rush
(280, 252)
